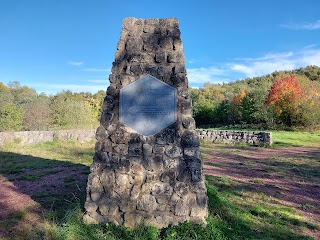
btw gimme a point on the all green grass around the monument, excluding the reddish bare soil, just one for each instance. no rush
(236, 210)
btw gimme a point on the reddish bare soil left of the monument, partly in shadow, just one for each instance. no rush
(22, 201)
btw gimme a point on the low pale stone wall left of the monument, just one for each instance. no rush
(33, 137)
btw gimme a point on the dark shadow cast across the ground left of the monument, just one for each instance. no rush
(46, 181)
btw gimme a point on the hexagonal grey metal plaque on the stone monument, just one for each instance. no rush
(148, 105)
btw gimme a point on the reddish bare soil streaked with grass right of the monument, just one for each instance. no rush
(285, 174)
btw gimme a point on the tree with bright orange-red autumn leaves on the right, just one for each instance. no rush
(284, 97)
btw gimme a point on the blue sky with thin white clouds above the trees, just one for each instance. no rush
(57, 45)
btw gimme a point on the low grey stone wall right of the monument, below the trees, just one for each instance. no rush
(232, 137)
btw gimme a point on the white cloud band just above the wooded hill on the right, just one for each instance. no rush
(241, 68)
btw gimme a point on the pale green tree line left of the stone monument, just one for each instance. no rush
(23, 109)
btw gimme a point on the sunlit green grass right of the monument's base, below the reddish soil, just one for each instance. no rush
(257, 212)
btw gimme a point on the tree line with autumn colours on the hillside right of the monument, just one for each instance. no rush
(281, 100)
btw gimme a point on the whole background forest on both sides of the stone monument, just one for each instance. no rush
(281, 100)
